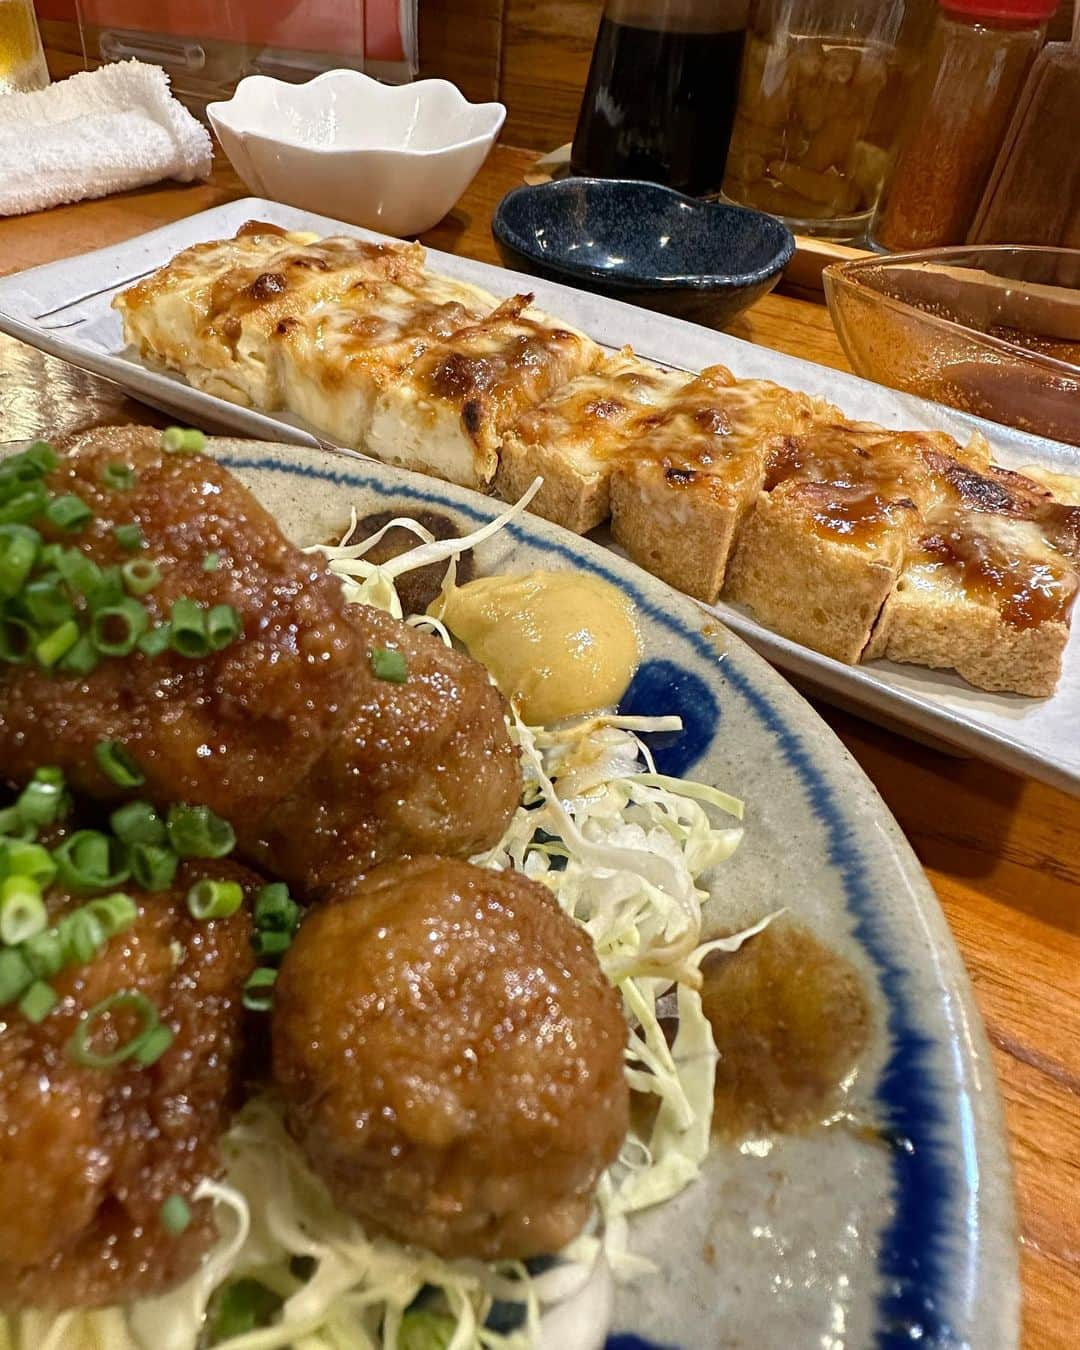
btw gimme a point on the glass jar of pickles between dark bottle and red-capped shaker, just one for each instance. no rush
(820, 95)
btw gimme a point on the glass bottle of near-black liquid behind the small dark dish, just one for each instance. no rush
(662, 90)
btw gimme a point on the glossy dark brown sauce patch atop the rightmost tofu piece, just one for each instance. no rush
(1027, 591)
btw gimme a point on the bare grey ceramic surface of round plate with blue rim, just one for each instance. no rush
(890, 1224)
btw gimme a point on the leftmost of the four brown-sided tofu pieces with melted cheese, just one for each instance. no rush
(577, 437)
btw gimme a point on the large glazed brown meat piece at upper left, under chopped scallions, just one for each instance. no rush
(234, 731)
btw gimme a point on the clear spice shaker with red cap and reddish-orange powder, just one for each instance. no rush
(959, 111)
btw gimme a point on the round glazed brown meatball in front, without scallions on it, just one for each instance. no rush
(452, 1059)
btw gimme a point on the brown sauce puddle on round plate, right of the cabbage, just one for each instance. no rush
(792, 1021)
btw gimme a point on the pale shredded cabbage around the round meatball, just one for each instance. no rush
(623, 850)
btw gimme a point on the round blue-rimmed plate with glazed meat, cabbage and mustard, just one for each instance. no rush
(349, 1002)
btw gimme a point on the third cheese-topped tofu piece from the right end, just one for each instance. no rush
(693, 470)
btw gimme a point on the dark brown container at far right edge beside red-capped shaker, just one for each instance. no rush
(1035, 191)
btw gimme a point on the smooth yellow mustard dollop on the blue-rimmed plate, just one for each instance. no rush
(558, 645)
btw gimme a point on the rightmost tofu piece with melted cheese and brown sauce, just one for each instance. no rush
(989, 585)
